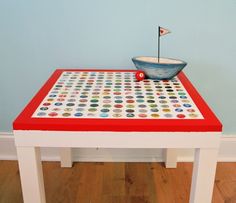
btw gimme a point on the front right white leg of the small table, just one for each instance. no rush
(203, 175)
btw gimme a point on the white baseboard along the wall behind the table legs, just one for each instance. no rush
(227, 152)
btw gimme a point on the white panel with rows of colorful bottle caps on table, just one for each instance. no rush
(115, 95)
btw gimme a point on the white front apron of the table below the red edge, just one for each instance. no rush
(82, 139)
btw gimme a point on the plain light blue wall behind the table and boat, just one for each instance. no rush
(38, 36)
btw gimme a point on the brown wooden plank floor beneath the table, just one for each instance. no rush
(117, 183)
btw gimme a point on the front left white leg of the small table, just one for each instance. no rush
(31, 174)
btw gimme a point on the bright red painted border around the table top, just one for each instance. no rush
(25, 122)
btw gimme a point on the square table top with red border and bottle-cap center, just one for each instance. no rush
(113, 100)
